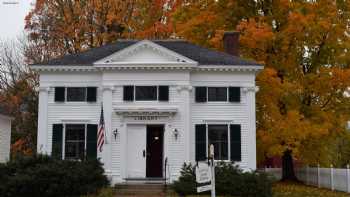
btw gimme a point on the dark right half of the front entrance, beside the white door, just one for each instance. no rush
(154, 163)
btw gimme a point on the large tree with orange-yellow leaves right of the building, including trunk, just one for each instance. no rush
(303, 100)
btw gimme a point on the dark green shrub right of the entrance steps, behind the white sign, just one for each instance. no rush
(230, 181)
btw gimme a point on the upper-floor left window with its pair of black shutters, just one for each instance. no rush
(75, 94)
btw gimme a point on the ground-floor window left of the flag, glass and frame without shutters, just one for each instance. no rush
(75, 141)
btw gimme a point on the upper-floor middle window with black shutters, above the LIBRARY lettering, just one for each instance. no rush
(146, 93)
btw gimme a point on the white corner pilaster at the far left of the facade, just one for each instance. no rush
(42, 139)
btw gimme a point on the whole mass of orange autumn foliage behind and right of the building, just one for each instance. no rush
(303, 102)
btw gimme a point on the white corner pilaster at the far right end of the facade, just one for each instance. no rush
(250, 99)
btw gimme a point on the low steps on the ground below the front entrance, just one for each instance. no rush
(140, 189)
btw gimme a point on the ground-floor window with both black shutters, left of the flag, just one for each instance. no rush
(74, 141)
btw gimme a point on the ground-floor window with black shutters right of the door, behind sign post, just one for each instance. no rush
(225, 138)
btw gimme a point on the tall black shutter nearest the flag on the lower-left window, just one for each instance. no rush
(91, 141)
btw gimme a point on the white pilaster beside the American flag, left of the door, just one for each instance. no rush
(107, 108)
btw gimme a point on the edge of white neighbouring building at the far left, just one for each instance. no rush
(5, 135)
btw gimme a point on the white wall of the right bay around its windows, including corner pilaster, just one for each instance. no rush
(224, 112)
